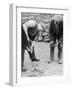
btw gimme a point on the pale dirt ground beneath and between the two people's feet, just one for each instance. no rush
(42, 68)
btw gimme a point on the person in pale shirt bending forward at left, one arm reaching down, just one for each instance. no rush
(29, 33)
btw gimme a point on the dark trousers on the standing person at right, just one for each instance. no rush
(56, 35)
